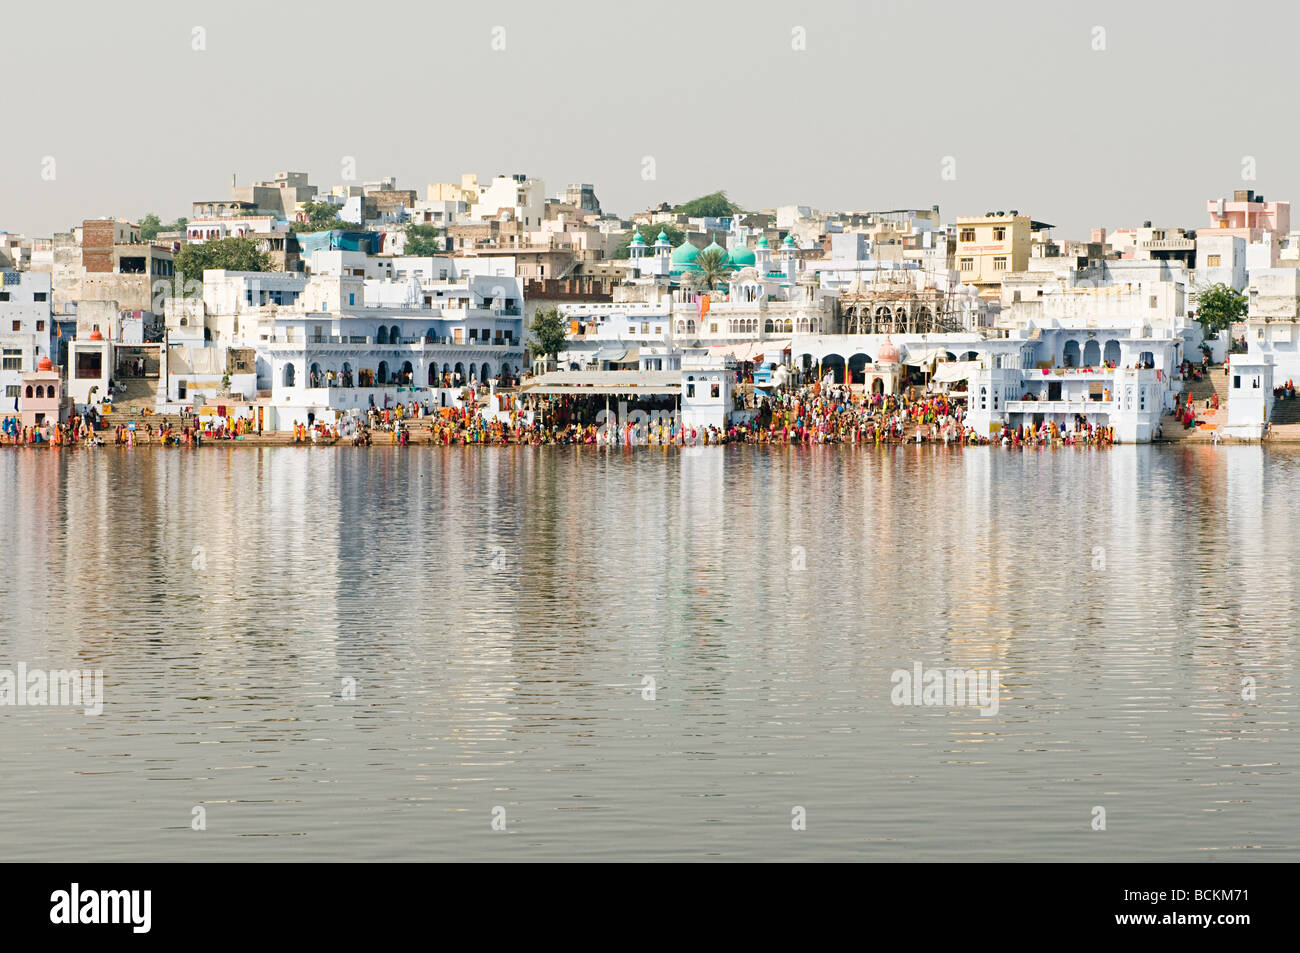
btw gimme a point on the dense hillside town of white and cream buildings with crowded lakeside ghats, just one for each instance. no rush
(493, 313)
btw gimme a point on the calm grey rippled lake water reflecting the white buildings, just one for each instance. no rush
(501, 613)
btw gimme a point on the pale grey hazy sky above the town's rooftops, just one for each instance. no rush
(1035, 119)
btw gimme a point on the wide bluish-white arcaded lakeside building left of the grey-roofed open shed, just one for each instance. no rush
(344, 341)
